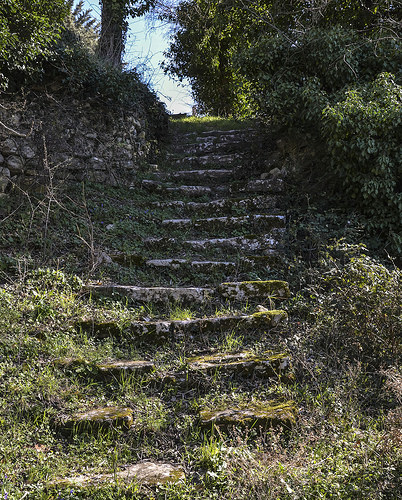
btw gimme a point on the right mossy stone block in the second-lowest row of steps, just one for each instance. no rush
(256, 414)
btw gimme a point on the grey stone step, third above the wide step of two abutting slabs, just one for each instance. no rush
(260, 221)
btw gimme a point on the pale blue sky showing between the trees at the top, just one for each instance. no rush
(146, 42)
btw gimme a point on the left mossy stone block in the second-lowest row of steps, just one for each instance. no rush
(98, 419)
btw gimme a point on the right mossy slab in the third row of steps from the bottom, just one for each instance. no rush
(243, 363)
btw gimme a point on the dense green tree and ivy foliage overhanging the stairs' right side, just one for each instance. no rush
(328, 70)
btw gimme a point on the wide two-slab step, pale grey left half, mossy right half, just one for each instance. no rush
(235, 291)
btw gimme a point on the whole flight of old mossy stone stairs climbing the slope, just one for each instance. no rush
(222, 238)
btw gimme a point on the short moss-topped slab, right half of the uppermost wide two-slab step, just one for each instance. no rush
(242, 291)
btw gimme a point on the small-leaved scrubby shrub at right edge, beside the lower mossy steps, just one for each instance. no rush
(357, 310)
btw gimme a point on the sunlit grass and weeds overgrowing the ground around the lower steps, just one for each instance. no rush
(343, 337)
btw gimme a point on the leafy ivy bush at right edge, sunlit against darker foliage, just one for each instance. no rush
(363, 134)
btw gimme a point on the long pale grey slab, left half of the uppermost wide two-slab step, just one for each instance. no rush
(153, 294)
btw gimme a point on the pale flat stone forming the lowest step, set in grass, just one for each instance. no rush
(143, 473)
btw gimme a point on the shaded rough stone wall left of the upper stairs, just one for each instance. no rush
(44, 137)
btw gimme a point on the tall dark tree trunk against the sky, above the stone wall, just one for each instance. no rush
(114, 25)
